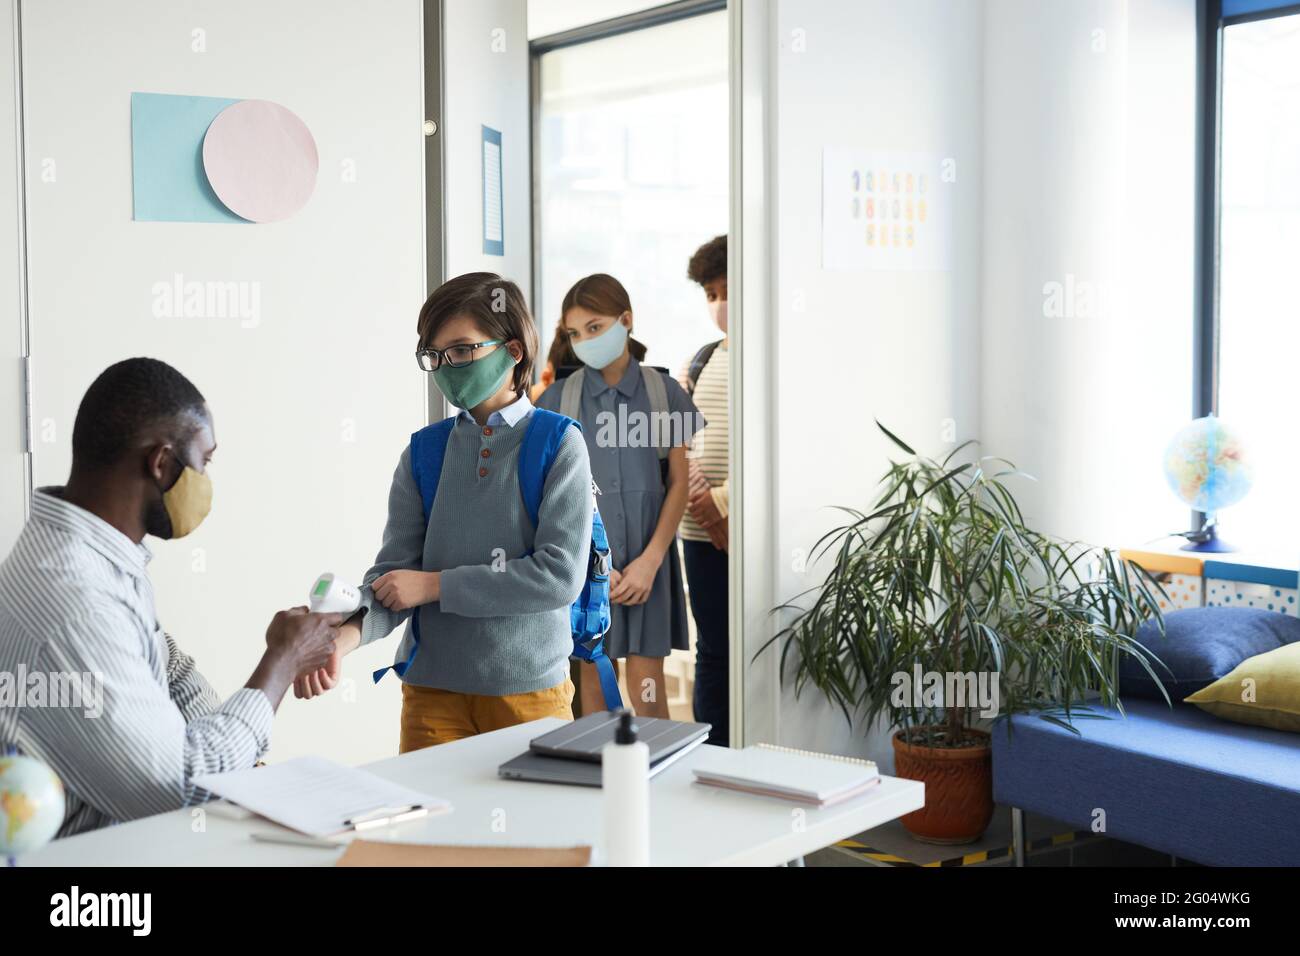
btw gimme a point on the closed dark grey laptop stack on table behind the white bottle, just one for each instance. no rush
(573, 754)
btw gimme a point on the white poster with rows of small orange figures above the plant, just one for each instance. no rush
(886, 210)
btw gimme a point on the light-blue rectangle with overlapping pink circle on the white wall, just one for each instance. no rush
(209, 159)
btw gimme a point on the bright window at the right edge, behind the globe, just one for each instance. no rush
(1259, 297)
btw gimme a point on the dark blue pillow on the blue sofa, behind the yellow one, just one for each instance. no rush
(1202, 646)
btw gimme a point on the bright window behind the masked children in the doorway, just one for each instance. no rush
(632, 174)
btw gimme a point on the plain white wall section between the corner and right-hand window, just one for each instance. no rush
(1089, 132)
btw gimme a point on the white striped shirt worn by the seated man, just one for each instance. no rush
(93, 687)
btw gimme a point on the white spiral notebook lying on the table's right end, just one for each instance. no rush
(817, 780)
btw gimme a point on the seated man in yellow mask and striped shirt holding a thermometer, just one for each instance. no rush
(77, 607)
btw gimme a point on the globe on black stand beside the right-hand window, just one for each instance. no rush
(1208, 469)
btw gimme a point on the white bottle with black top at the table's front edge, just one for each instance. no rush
(626, 781)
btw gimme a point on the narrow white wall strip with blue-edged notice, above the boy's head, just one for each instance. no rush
(486, 76)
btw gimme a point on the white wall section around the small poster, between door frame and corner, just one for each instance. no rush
(855, 347)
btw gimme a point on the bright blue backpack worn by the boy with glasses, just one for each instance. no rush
(590, 616)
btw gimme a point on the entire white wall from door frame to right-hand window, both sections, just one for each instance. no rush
(1073, 132)
